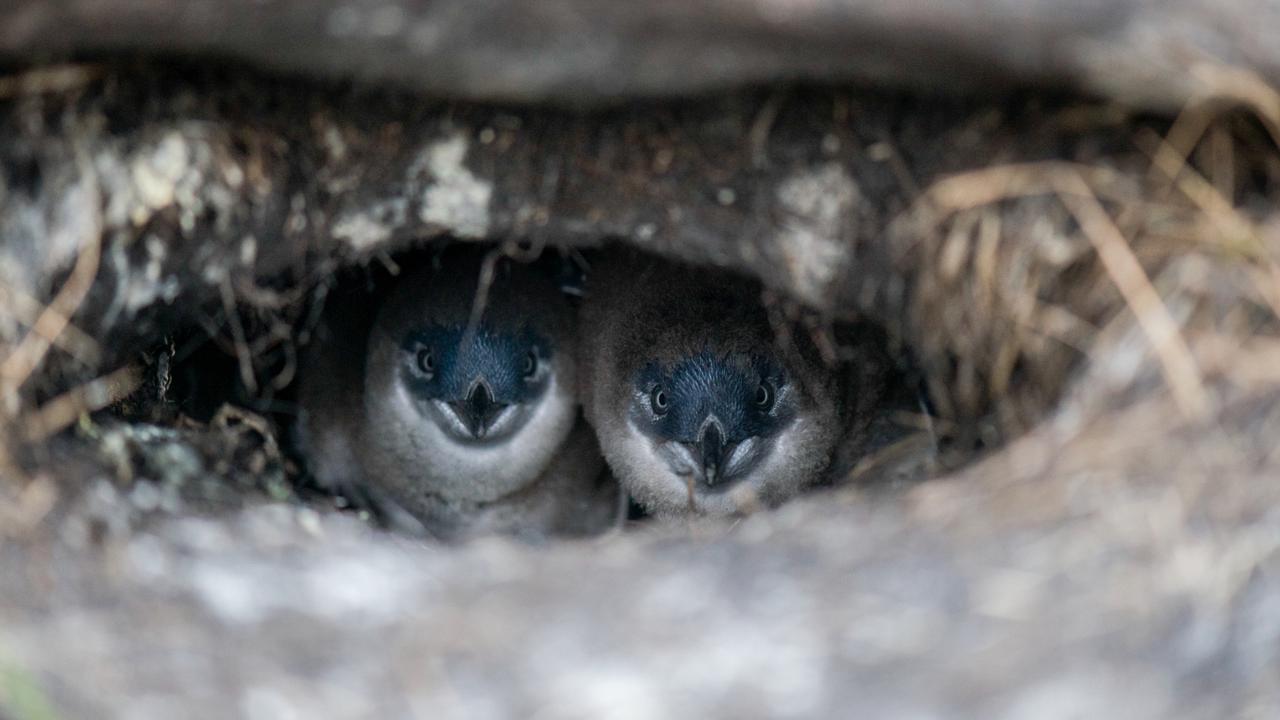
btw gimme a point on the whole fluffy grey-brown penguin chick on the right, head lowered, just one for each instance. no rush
(698, 404)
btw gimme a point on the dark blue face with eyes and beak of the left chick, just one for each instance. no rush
(478, 389)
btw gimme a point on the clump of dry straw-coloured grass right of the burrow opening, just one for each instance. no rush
(1030, 275)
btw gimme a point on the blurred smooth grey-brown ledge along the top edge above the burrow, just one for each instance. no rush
(587, 52)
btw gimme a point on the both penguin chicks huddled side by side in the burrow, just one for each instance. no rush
(469, 422)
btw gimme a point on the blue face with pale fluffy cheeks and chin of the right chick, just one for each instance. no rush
(723, 432)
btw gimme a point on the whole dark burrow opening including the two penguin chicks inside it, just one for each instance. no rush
(243, 376)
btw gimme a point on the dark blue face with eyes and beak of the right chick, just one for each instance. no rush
(714, 418)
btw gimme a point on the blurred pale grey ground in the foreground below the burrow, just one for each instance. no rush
(1104, 590)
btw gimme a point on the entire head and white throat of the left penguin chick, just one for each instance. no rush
(469, 395)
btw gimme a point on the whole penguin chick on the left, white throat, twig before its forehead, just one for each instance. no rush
(472, 429)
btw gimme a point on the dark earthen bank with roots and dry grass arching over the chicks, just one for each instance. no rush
(995, 249)
